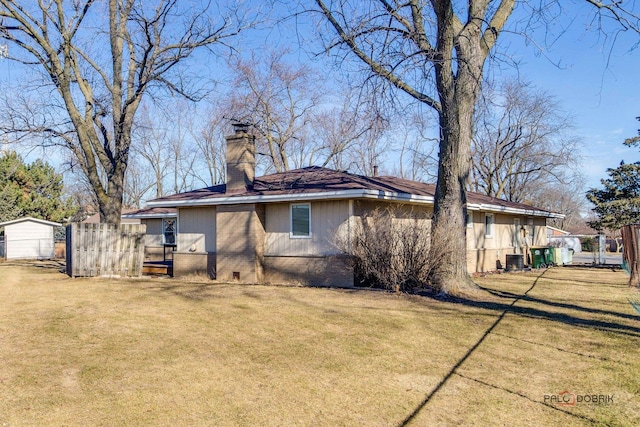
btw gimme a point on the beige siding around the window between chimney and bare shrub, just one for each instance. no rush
(326, 218)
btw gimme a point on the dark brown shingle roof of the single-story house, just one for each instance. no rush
(318, 180)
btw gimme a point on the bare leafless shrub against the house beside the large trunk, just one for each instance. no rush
(390, 248)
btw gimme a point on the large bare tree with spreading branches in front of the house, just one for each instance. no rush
(435, 52)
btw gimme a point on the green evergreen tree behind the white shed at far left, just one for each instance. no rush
(34, 190)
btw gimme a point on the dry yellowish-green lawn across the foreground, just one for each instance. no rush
(533, 349)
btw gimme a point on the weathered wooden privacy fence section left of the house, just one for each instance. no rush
(105, 250)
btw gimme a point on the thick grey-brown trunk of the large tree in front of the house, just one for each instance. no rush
(458, 91)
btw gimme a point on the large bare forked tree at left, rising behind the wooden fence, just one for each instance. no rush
(101, 59)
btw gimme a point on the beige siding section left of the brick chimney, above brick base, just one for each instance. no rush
(197, 227)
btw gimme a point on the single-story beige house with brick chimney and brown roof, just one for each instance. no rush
(280, 228)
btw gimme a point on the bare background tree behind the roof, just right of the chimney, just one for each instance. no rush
(301, 119)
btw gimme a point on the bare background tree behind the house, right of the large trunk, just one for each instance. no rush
(522, 142)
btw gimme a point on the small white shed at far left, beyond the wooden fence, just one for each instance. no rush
(29, 238)
